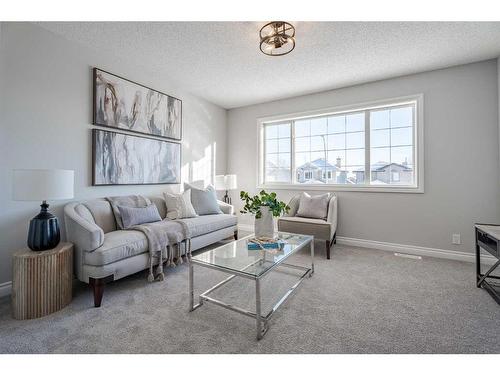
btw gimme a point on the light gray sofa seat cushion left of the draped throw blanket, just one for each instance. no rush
(117, 245)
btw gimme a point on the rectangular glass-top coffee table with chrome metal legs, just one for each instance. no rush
(237, 260)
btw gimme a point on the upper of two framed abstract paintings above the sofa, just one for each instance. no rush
(123, 104)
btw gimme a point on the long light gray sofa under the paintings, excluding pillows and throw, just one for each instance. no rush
(103, 254)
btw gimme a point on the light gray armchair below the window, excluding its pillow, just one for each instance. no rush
(325, 230)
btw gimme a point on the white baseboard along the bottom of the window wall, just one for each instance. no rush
(400, 248)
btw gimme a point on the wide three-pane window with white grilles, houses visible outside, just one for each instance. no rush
(371, 147)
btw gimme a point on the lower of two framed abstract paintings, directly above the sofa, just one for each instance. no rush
(124, 159)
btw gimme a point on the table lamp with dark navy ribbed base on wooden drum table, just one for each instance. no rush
(43, 185)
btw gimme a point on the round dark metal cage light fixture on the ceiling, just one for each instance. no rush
(277, 38)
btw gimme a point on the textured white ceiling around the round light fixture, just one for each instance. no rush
(221, 61)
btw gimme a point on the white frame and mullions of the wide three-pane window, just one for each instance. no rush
(418, 147)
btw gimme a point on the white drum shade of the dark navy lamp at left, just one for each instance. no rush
(43, 184)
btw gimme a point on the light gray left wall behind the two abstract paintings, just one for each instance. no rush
(46, 116)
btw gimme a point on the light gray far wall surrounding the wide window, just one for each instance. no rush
(461, 157)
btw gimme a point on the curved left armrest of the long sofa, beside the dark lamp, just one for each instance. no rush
(85, 235)
